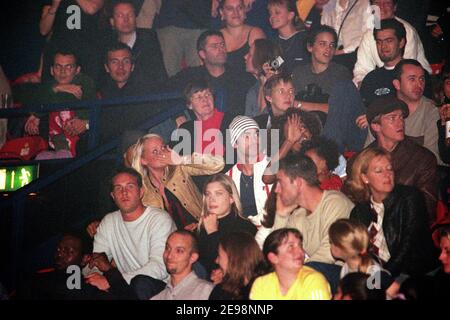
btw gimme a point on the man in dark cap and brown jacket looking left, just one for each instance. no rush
(413, 164)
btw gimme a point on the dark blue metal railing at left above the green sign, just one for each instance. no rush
(16, 200)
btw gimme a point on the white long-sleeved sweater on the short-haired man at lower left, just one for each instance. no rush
(136, 246)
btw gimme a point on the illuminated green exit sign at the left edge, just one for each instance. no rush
(13, 178)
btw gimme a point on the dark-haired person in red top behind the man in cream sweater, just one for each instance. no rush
(324, 153)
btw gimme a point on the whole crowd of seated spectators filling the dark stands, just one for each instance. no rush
(310, 163)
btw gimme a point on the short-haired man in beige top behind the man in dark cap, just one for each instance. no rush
(409, 83)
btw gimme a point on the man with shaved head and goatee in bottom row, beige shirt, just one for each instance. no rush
(180, 253)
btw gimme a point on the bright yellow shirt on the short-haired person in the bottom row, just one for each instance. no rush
(310, 285)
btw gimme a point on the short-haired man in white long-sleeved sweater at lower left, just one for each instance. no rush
(133, 238)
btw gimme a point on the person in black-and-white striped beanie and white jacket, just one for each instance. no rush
(248, 171)
